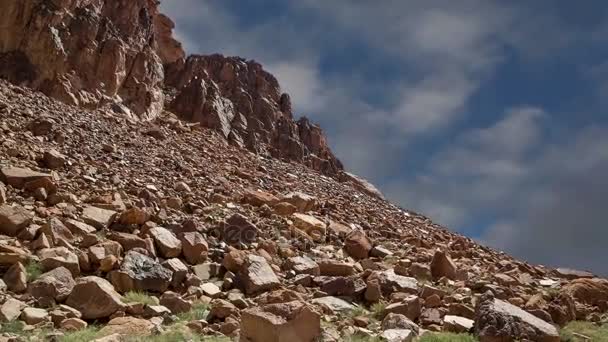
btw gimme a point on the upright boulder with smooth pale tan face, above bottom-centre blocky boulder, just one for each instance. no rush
(257, 276)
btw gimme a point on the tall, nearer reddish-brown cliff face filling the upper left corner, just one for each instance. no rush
(84, 52)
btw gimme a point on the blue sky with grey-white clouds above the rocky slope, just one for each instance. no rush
(488, 116)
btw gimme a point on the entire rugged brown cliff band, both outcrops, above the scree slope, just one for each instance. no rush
(95, 53)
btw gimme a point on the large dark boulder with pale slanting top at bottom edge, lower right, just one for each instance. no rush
(496, 320)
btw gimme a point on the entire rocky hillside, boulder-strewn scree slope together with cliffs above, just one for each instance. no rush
(190, 206)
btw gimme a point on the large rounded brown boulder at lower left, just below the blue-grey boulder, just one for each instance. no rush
(95, 298)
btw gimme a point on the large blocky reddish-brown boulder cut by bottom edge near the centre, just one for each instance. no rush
(292, 321)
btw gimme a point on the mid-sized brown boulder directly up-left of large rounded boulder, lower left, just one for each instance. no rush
(55, 285)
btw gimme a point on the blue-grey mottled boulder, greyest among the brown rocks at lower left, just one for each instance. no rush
(139, 272)
